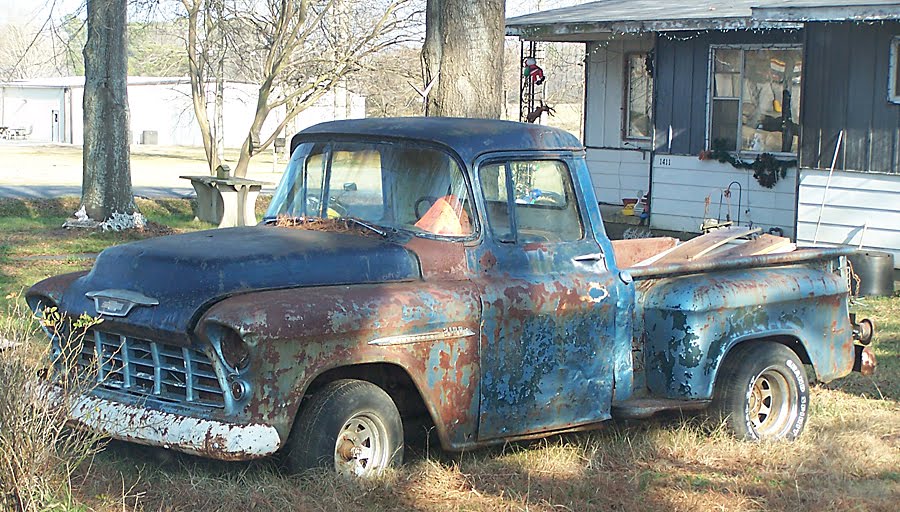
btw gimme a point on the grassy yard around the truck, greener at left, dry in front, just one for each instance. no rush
(847, 459)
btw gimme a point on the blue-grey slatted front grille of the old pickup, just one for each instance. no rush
(155, 371)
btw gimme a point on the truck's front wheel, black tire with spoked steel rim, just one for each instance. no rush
(351, 426)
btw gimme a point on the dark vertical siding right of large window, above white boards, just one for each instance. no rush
(846, 88)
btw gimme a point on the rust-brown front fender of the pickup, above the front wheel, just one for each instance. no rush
(294, 336)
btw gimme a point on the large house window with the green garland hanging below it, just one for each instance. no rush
(755, 99)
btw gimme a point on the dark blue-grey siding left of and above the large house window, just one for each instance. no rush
(682, 84)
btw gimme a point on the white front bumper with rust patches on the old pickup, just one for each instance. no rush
(207, 438)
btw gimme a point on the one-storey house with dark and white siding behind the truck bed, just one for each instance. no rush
(813, 83)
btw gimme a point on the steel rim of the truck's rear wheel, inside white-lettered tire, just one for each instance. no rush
(772, 405)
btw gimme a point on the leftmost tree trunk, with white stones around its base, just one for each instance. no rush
(106, 186)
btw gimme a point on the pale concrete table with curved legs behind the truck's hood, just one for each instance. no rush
(228, 201)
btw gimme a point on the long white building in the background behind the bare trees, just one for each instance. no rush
(50, 110)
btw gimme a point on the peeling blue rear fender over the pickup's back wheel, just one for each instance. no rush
(693, 322)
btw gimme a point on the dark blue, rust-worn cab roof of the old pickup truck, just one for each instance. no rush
(468, 137)
